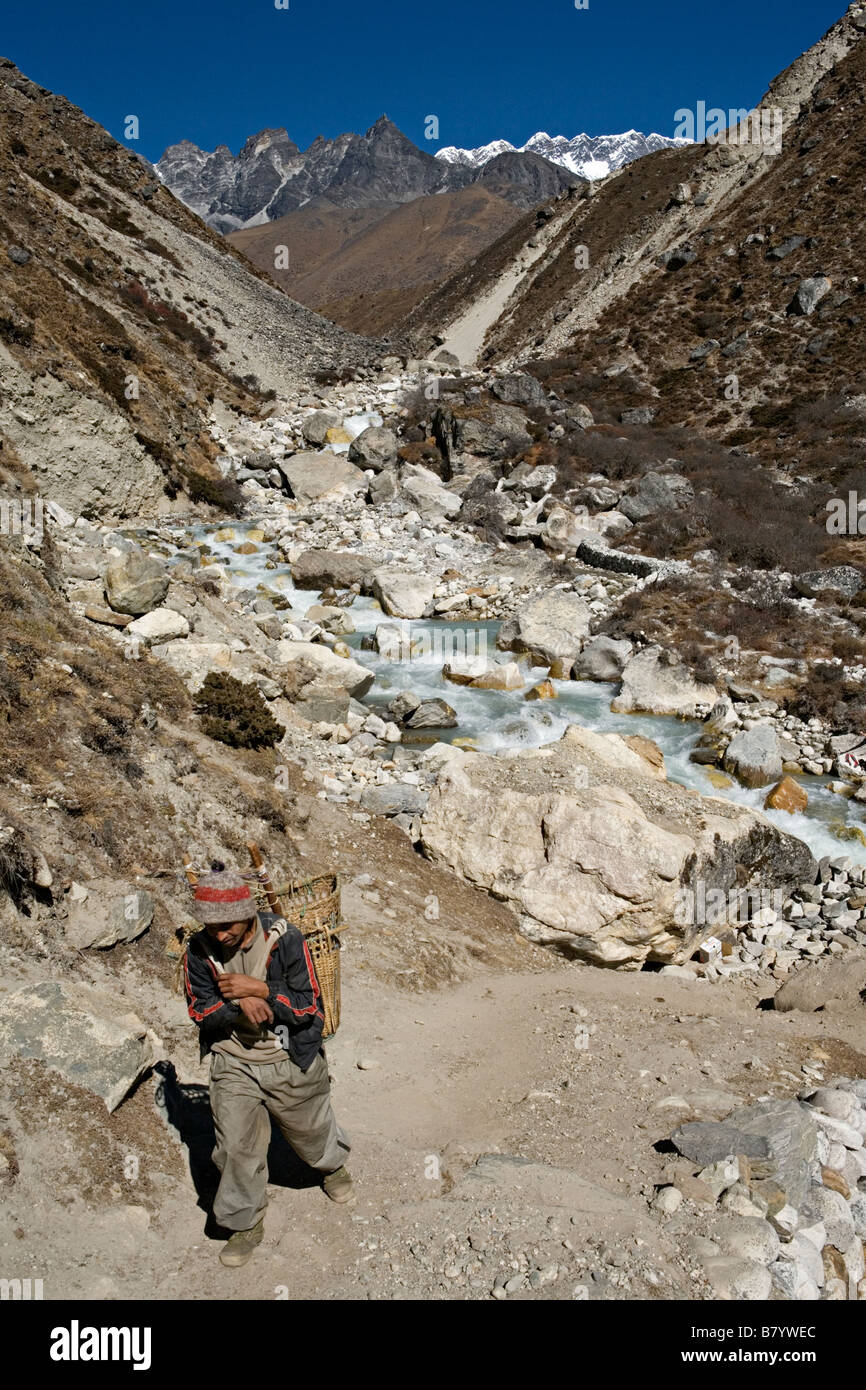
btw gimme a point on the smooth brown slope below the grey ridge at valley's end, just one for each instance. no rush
(368, 268)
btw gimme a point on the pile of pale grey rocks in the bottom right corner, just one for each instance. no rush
(785, 1189)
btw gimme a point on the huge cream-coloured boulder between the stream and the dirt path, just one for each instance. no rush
(594, 851)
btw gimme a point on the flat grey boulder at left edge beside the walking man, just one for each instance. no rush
(84, 1033)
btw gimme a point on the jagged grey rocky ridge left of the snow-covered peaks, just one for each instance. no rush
(272, 177)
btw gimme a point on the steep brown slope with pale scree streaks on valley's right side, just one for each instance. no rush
(672, 338)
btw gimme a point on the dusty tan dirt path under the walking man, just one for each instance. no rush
(578, 1071)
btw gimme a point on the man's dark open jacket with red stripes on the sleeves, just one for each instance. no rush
(294, 995)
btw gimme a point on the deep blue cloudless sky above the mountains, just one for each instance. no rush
(216, 73)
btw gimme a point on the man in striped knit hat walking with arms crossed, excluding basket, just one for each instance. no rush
(254, 995)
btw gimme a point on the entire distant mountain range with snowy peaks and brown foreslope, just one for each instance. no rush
(343, 208)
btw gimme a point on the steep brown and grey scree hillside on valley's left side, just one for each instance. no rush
(124, 318)
